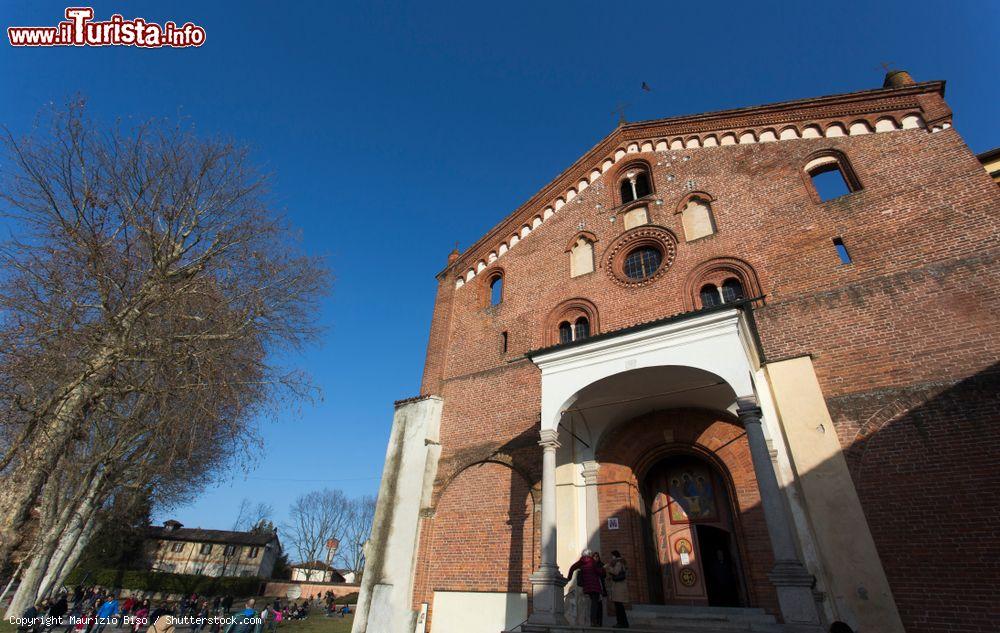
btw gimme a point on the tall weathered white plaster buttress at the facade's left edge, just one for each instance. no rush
(387, 585)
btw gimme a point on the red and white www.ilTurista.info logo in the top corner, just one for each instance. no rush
(79, 29)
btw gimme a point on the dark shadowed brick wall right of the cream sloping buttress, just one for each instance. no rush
(926, 466)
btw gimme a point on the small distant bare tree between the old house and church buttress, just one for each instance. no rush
(313, 519)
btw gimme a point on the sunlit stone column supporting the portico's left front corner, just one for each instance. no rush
(547, 583)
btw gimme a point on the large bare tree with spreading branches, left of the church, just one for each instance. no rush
(149, 273)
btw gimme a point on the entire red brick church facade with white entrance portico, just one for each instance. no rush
(755, 351)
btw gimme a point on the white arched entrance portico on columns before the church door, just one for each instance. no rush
(591, 389)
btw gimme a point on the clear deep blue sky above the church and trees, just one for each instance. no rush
(394, 131)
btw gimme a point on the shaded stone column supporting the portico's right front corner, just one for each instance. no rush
(790, 578)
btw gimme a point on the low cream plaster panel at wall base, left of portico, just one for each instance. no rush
(477, 612)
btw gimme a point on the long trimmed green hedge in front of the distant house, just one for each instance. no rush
(163, 582)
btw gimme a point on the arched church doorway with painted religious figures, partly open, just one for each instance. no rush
(692, 529)
